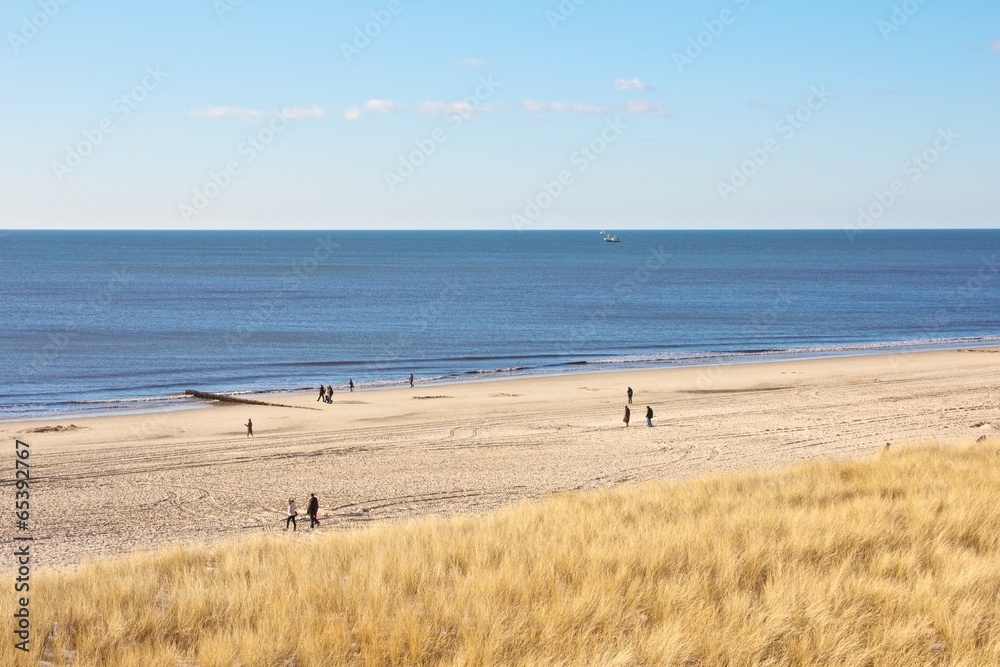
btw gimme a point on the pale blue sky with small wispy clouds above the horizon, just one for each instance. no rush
(207, 114)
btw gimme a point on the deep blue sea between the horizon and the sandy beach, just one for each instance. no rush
(97, 322)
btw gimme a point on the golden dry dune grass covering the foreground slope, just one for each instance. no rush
(890, 561)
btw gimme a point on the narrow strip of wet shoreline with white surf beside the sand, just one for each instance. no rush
(178, 402)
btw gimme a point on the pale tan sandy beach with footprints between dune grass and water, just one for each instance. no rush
(139, 481)
